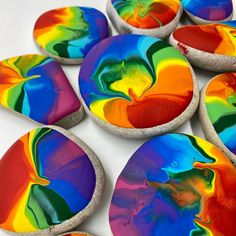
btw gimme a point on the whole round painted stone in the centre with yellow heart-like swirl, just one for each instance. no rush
(137, 86)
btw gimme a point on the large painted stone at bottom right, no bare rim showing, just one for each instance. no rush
(175, 184)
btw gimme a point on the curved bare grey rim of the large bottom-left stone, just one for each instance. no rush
(94, 202)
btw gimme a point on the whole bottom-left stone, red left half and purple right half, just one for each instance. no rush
(50, 182)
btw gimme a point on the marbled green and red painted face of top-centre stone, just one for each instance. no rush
(147, 14)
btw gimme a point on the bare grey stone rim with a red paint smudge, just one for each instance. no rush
(205, 60)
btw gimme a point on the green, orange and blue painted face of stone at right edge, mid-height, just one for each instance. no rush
(220, 103)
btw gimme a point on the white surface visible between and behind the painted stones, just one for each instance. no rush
(17, 18)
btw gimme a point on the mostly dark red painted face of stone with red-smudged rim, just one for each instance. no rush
(219, 38)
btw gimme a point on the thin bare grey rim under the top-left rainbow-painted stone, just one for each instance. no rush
(61, 60)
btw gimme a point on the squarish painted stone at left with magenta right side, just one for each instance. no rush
(36, 87)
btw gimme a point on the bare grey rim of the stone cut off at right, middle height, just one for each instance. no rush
(208, 128)
